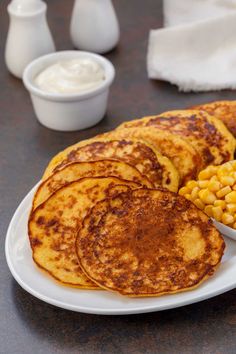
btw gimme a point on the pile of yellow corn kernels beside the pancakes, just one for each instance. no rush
(215, 192)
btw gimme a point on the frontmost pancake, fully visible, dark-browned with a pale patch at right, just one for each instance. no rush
(148, 243)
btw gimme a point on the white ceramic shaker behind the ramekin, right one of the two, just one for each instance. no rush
(94, 26)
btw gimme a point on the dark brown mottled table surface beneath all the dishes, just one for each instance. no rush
(27, 325)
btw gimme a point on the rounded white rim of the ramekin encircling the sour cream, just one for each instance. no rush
(48, 59)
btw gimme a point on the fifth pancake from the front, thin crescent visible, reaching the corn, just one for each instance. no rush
(181, 153)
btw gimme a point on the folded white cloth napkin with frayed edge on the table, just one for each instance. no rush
(196, 56)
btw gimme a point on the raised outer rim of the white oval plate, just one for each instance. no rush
(97, 310)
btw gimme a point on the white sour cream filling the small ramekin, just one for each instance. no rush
(71, 76)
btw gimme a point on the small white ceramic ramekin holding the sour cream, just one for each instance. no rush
(68, 112)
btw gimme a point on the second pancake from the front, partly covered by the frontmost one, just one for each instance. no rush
(54, 224)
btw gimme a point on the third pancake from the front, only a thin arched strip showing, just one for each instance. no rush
(77, 170)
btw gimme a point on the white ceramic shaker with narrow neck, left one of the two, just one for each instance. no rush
(29, 36)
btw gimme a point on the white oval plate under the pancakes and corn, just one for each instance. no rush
(30, 278)
